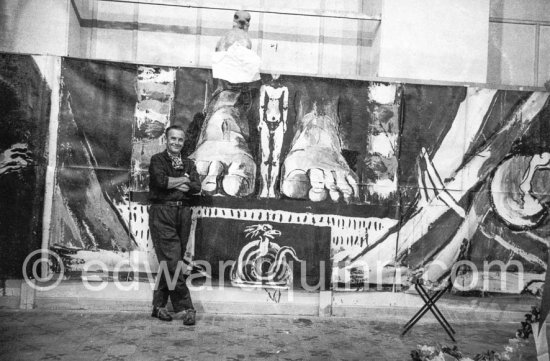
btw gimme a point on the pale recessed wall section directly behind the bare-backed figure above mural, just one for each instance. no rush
(334, 39)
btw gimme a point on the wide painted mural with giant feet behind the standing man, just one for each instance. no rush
(382, 180)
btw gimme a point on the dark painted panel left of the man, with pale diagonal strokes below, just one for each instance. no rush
(94, 156)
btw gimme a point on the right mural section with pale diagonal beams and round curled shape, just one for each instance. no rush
(468, 203)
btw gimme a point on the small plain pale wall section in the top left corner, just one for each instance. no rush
(34, 26)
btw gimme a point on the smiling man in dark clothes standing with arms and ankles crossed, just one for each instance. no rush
(173, 180)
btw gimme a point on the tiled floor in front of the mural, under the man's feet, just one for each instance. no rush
(71, 335)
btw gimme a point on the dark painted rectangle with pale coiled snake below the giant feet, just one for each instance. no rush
(307, 249)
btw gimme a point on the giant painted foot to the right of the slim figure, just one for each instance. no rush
(315, 168)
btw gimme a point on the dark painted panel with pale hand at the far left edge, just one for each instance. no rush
(24, 117)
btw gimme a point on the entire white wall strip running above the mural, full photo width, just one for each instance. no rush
(423, 40)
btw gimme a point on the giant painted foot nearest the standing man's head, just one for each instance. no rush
(222, 156)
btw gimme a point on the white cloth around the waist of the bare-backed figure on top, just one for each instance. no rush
(236, 65)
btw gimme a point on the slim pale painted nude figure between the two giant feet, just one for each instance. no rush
(272, 127)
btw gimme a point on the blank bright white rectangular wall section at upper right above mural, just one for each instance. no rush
(435, 40)
